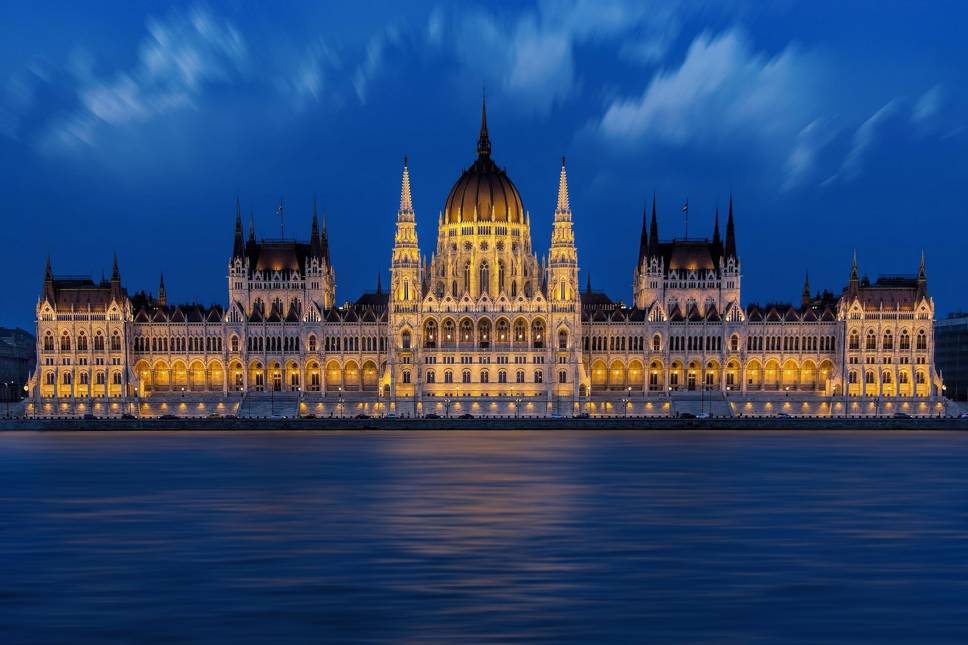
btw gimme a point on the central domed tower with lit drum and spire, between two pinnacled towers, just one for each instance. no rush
(484, 234)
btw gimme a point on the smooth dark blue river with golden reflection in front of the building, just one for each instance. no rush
(455, 537)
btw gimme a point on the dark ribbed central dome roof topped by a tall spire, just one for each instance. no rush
(484, 193)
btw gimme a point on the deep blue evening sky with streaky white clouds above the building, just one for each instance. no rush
(131, 127)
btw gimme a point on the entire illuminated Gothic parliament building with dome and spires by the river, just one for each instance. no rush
(485, 327)
